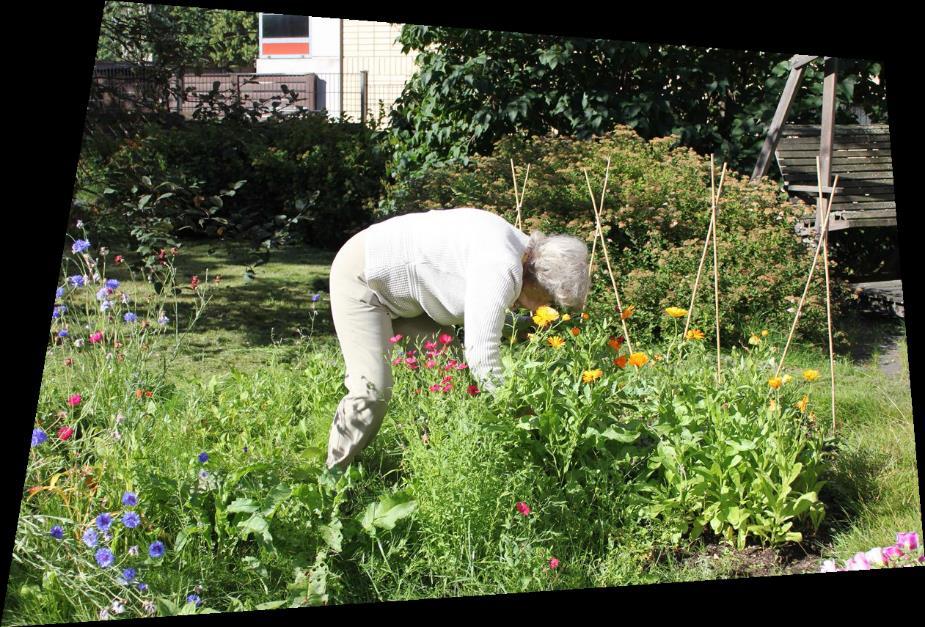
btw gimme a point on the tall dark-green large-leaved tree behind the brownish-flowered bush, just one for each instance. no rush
(473, 87)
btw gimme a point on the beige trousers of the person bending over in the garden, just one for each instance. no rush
(363, 328)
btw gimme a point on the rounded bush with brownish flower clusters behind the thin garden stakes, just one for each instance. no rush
(655, 218)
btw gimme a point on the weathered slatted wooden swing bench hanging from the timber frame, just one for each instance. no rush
(861, 159)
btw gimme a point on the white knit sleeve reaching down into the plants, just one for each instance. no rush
(489, 291)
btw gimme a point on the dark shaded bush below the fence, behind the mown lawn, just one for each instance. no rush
(298, 176)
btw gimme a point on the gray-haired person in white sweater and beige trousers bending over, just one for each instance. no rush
(417, 274)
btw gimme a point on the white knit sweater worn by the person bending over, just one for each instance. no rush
(458, 266)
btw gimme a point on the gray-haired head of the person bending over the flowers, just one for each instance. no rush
(559, 264)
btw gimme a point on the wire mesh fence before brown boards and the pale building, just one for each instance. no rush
(358, 95)
